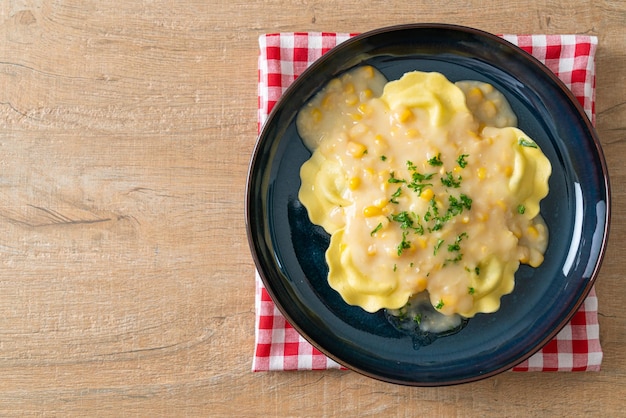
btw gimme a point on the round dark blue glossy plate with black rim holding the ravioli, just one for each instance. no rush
(289, 250)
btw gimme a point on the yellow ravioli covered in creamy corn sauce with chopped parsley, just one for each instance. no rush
(424, 186)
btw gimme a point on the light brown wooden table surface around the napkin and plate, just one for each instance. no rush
(126, 280)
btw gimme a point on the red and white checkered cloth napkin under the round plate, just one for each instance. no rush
(283, 56)
